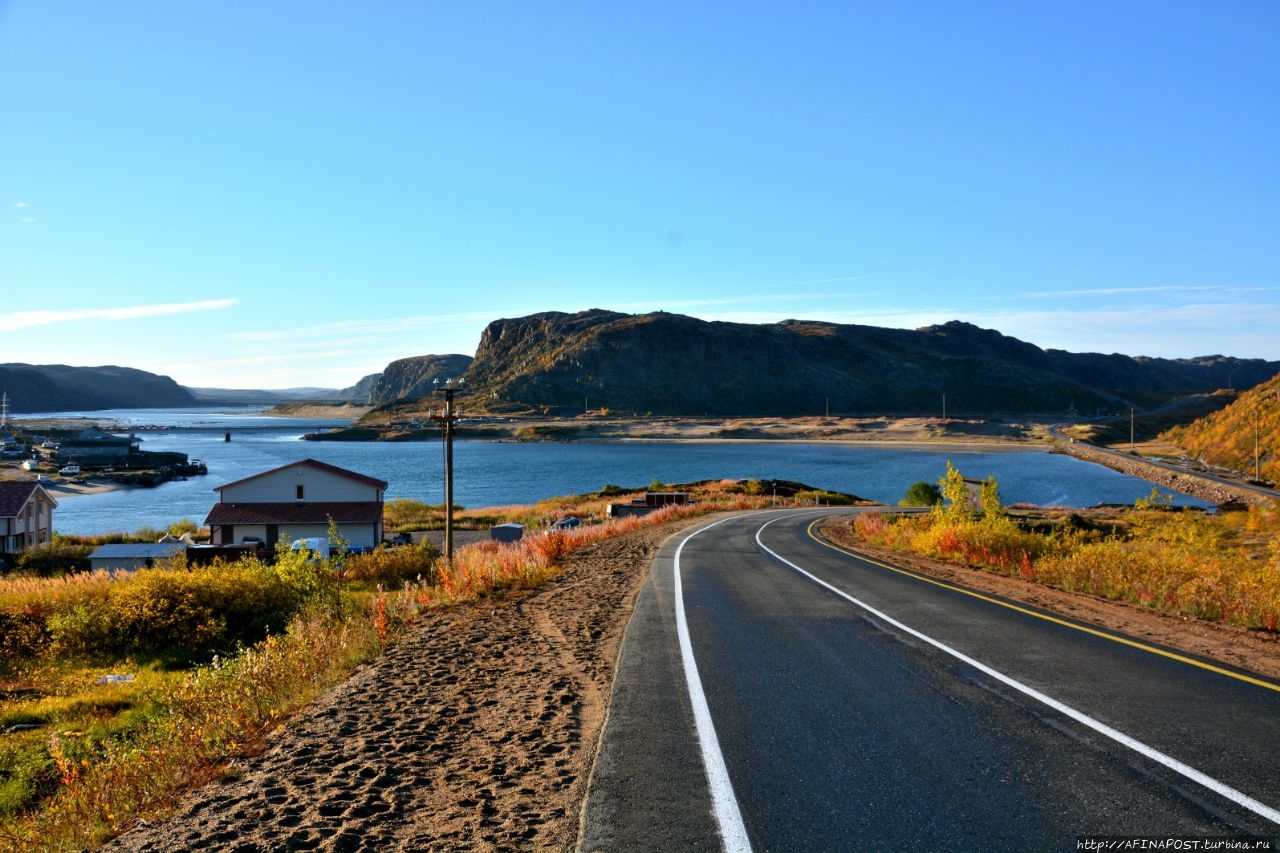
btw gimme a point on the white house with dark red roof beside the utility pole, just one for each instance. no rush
(299, 501)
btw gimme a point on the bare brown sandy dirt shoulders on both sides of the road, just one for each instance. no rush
(479, 731)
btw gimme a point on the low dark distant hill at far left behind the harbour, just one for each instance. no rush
(60, 387)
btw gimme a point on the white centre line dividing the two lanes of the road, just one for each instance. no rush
(1101, 728)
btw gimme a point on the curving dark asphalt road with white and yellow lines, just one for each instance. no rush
(824, 703)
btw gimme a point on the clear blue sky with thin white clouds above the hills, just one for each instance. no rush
(268, 194)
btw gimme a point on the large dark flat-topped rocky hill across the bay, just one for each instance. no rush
(673, 364)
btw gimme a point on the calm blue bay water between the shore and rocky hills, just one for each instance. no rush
(495, 475)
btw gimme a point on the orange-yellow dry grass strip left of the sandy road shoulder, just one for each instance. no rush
(171, 732)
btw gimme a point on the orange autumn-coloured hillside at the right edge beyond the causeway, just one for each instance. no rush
(1242, 437)
